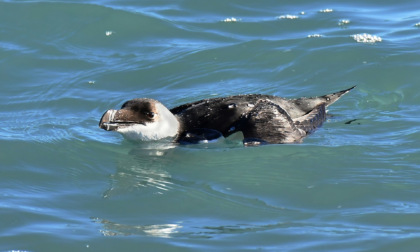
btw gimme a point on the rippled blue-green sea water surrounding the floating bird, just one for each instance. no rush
(66, 185)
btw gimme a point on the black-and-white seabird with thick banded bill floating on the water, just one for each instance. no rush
(263, 119)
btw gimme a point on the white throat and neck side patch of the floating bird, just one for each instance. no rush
(166, 125)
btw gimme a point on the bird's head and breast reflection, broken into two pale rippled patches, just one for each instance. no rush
(142, 167)
